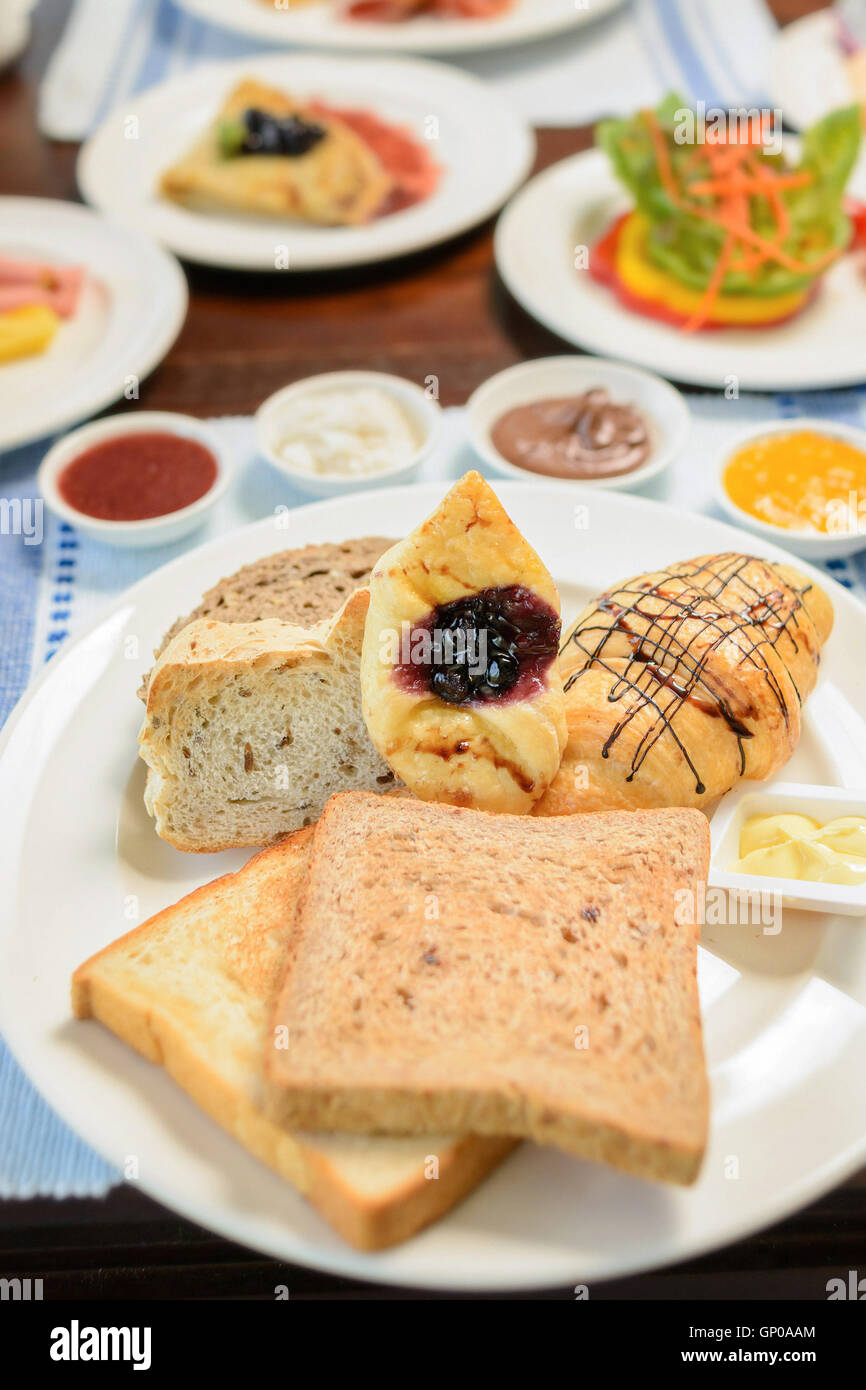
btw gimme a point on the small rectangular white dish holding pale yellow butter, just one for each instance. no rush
(753, 799)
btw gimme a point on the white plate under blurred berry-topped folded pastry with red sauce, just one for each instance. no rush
(484, 149)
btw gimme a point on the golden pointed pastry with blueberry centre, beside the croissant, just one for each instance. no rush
(461, 683)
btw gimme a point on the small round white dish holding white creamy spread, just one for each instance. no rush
(275, 414)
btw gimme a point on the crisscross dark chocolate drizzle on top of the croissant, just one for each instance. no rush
(667, 669)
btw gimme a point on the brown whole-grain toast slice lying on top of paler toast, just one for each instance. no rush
(500, 975)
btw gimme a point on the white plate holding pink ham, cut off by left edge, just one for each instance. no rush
(131, 311)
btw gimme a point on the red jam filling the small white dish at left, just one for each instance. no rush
(138, 476)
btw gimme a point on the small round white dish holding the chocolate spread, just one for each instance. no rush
(668, 415)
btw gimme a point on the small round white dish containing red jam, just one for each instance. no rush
(152, 530)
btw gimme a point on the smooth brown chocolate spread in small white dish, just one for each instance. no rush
(575, 437)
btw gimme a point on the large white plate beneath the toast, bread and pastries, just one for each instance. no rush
(785, 1015)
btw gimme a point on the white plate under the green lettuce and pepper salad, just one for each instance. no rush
(572, 204)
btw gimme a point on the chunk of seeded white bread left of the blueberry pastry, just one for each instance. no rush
(250, 728)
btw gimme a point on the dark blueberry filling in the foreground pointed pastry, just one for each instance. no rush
(493, 646)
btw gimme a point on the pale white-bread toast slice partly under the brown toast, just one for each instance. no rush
(194, 990)
